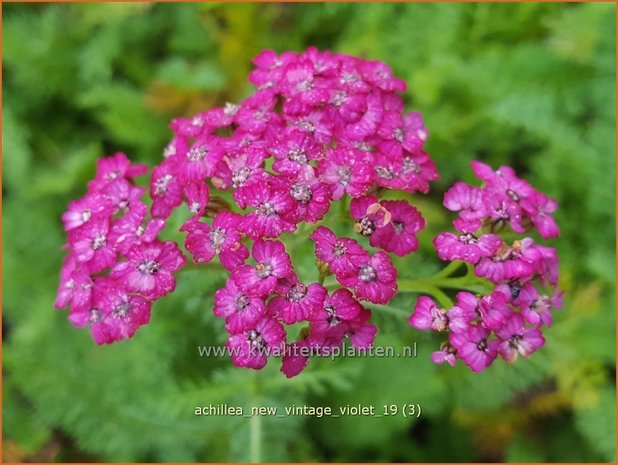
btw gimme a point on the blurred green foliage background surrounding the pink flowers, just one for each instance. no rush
(531, 85)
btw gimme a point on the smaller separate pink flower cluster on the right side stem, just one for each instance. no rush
(508, 321)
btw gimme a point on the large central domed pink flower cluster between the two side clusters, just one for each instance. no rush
(320, 127)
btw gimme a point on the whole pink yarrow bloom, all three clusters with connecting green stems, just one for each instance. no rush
(321, 129)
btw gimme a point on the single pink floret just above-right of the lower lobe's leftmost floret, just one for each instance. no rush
(271, 264)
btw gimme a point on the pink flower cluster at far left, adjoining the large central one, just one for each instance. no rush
(115, 267)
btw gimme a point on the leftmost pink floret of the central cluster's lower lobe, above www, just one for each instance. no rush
(240, 310)
